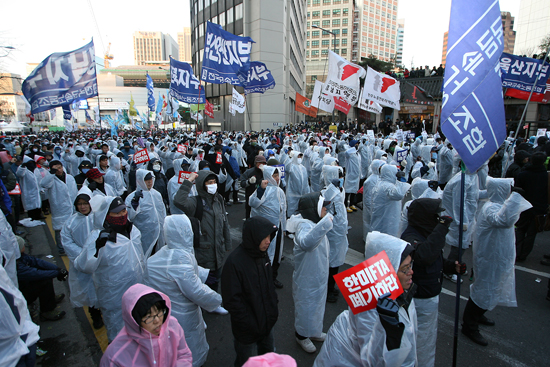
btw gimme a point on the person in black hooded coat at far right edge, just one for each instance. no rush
(534, 181)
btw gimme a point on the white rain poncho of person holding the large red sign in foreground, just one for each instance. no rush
(360, 340)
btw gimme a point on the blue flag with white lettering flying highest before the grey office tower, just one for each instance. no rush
(224, 55)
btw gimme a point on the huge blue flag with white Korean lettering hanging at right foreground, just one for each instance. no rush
(472, 114)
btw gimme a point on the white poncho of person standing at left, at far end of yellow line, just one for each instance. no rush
(61, 195)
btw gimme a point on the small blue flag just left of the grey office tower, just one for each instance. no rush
(184, 85)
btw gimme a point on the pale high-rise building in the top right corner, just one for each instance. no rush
(532, 26)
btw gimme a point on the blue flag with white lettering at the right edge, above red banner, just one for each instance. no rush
(520, 73)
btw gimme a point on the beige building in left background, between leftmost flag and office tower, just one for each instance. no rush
(154, 47)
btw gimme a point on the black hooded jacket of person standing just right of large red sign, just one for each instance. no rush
(427, 236)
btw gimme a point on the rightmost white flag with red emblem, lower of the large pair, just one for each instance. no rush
(382, 88)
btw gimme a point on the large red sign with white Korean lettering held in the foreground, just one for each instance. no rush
(364, 283)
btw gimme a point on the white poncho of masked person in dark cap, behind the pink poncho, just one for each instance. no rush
(116, 268)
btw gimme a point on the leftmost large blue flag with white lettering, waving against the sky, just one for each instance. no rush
(61, 78)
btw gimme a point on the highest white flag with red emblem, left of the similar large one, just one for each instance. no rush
(343, 78)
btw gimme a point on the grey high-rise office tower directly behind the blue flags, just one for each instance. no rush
(278, 28)
